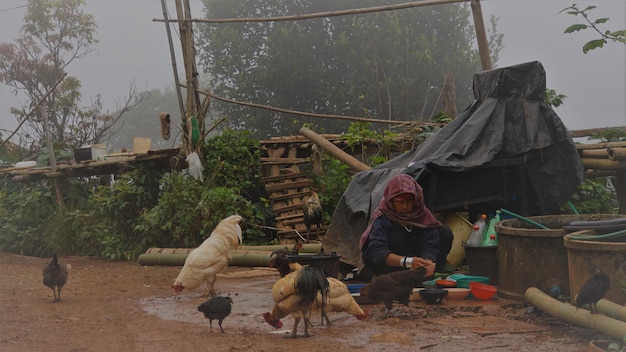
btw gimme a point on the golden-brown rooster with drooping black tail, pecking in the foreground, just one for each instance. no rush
(295, 294)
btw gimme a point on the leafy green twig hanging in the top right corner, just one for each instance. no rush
(618, 36)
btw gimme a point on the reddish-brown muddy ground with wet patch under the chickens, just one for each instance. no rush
(122, 306)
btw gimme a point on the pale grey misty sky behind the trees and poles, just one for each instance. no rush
(134, 48)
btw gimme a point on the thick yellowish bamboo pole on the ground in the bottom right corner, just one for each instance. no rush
(579, 316)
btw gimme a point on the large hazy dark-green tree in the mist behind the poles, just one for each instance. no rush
(384, 65)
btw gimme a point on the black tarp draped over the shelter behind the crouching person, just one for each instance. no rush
(508, 136)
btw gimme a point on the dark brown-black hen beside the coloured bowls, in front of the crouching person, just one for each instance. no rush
(395, 286)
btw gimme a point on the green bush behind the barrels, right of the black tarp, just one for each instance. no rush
(594, 196)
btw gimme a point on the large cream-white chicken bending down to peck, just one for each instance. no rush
(211, 257)
